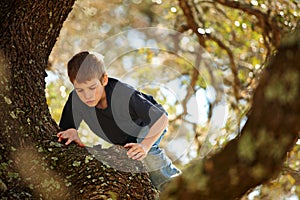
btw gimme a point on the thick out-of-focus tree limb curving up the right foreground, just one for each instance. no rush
(258, 154)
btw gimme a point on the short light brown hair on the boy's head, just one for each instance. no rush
(85, 66)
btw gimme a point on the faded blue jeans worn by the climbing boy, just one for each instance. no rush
(158, 164)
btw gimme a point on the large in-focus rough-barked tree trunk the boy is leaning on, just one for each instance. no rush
(33, 165)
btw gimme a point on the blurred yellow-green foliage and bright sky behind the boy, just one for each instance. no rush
(206, 89)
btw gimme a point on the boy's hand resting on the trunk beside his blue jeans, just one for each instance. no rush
(136, 151)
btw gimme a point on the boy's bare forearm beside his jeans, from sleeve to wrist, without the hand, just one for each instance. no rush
(155, 132)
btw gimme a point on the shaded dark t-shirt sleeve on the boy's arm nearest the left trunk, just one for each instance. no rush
(67, 120)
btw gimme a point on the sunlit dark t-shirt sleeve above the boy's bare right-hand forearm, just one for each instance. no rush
(142, 109)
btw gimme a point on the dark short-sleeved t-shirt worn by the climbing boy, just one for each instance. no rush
(127, 112)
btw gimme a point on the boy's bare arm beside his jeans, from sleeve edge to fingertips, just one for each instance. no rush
(138, 151)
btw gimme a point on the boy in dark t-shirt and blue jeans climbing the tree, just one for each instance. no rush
(117, 113)
